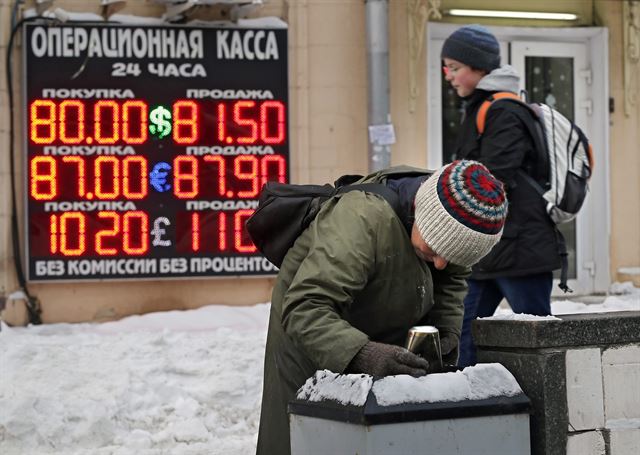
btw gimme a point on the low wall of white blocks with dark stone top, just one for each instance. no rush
(581, 372)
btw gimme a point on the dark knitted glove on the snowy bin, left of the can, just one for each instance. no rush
(379, 359)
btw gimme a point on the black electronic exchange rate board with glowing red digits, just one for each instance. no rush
(147, 148)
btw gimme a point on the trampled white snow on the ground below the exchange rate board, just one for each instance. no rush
(171, 383)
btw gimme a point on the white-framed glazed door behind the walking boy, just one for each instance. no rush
(556, 72)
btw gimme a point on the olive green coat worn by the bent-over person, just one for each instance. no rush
(351, 277)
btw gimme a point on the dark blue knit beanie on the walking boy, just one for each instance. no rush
(473, 45)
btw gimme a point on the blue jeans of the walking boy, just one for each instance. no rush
(528, 294)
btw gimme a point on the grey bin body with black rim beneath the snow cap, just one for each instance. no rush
(491, 426)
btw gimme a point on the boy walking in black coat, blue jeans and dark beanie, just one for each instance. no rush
(520, 267)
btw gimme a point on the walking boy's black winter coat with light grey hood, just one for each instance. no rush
(529, 243)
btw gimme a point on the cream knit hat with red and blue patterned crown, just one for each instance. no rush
(460, 212)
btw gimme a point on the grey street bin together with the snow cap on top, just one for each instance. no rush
(480, 410)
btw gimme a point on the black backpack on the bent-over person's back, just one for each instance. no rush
(286, 210)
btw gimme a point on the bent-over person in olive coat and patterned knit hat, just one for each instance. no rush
(361, 275)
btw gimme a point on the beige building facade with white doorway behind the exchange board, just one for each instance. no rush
(588, 66)
